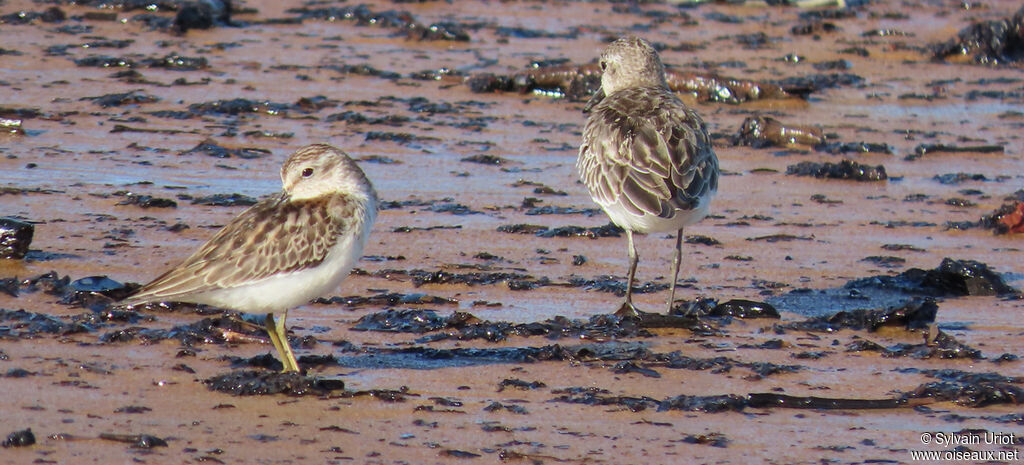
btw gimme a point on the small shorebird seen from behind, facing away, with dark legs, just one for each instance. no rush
(647, 158)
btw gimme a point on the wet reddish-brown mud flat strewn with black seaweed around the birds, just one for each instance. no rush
(858, 283)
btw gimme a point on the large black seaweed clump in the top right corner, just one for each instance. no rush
(992, 43)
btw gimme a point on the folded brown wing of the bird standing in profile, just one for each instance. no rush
(276, 236)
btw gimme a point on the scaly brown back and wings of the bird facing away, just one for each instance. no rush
(646, 144)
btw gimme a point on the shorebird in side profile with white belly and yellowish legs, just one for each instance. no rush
(284, 251)
